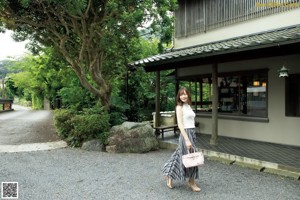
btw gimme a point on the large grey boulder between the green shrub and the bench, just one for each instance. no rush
(132, 137)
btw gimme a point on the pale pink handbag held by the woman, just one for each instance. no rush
(193, 159)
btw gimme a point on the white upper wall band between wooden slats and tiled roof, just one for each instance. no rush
(266, 23)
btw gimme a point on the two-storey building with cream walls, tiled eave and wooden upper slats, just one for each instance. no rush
(238, 51)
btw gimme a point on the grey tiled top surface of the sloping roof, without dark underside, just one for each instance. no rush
(243, 43)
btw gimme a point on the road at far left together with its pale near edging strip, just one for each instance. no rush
(27, 130)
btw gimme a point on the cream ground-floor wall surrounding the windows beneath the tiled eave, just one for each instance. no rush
(280, 129)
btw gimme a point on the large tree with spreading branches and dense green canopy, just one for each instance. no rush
(96, 38)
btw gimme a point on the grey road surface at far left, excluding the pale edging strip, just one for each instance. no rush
(24, 126)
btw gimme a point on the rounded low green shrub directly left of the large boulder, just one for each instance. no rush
(76, 127)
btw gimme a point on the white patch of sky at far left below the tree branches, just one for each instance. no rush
(8, 47)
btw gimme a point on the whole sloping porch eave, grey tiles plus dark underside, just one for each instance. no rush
(264, 44)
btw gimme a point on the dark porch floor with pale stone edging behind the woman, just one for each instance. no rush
(269, 157)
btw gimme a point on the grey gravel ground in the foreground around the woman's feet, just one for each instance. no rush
(71, 174)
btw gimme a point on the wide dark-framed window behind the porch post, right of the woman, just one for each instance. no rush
(240, 93)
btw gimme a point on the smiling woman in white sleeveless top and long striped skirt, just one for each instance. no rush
(174, 169)
